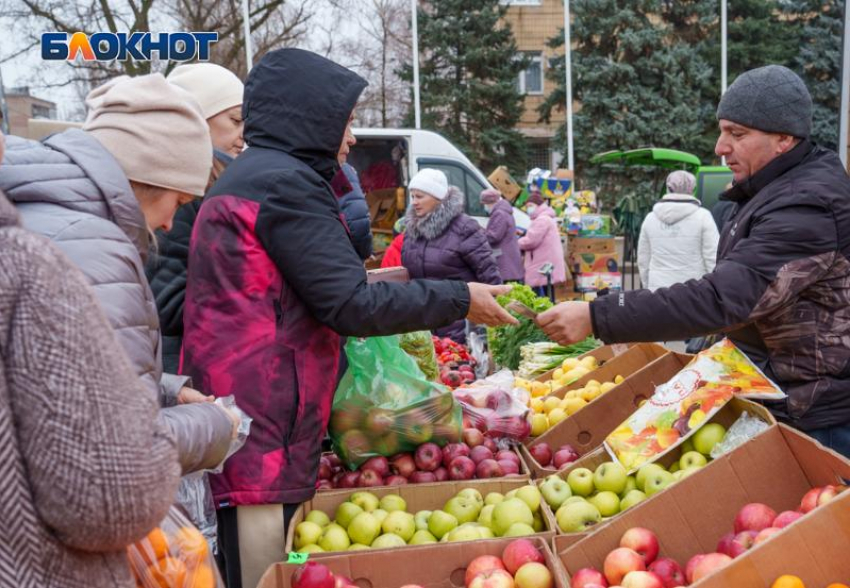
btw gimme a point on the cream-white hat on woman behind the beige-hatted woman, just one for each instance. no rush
(214, 88)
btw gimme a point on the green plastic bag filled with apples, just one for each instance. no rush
(385, 405)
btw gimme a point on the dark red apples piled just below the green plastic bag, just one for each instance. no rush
(481, 458)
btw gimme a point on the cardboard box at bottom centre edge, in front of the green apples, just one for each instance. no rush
(441, 565)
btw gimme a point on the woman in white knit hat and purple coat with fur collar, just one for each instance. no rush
(443, 243)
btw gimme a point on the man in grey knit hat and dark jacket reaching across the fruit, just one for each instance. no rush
(781, 288)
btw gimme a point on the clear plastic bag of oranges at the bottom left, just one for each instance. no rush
(174, 555)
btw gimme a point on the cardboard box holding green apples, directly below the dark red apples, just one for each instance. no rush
(418, 497)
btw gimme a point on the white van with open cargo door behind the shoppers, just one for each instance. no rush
(390, 157)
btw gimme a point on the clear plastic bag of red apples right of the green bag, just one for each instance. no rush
(496, 407)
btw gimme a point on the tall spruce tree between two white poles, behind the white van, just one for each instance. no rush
(469, 66)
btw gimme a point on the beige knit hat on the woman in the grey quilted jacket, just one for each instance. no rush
(154, 129)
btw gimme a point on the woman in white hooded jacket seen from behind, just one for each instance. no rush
(678, 239)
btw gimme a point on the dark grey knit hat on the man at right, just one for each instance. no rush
(772, 99)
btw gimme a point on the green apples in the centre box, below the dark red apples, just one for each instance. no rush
(364, 521)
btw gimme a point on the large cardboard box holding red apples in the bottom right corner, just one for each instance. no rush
(776, 468)
